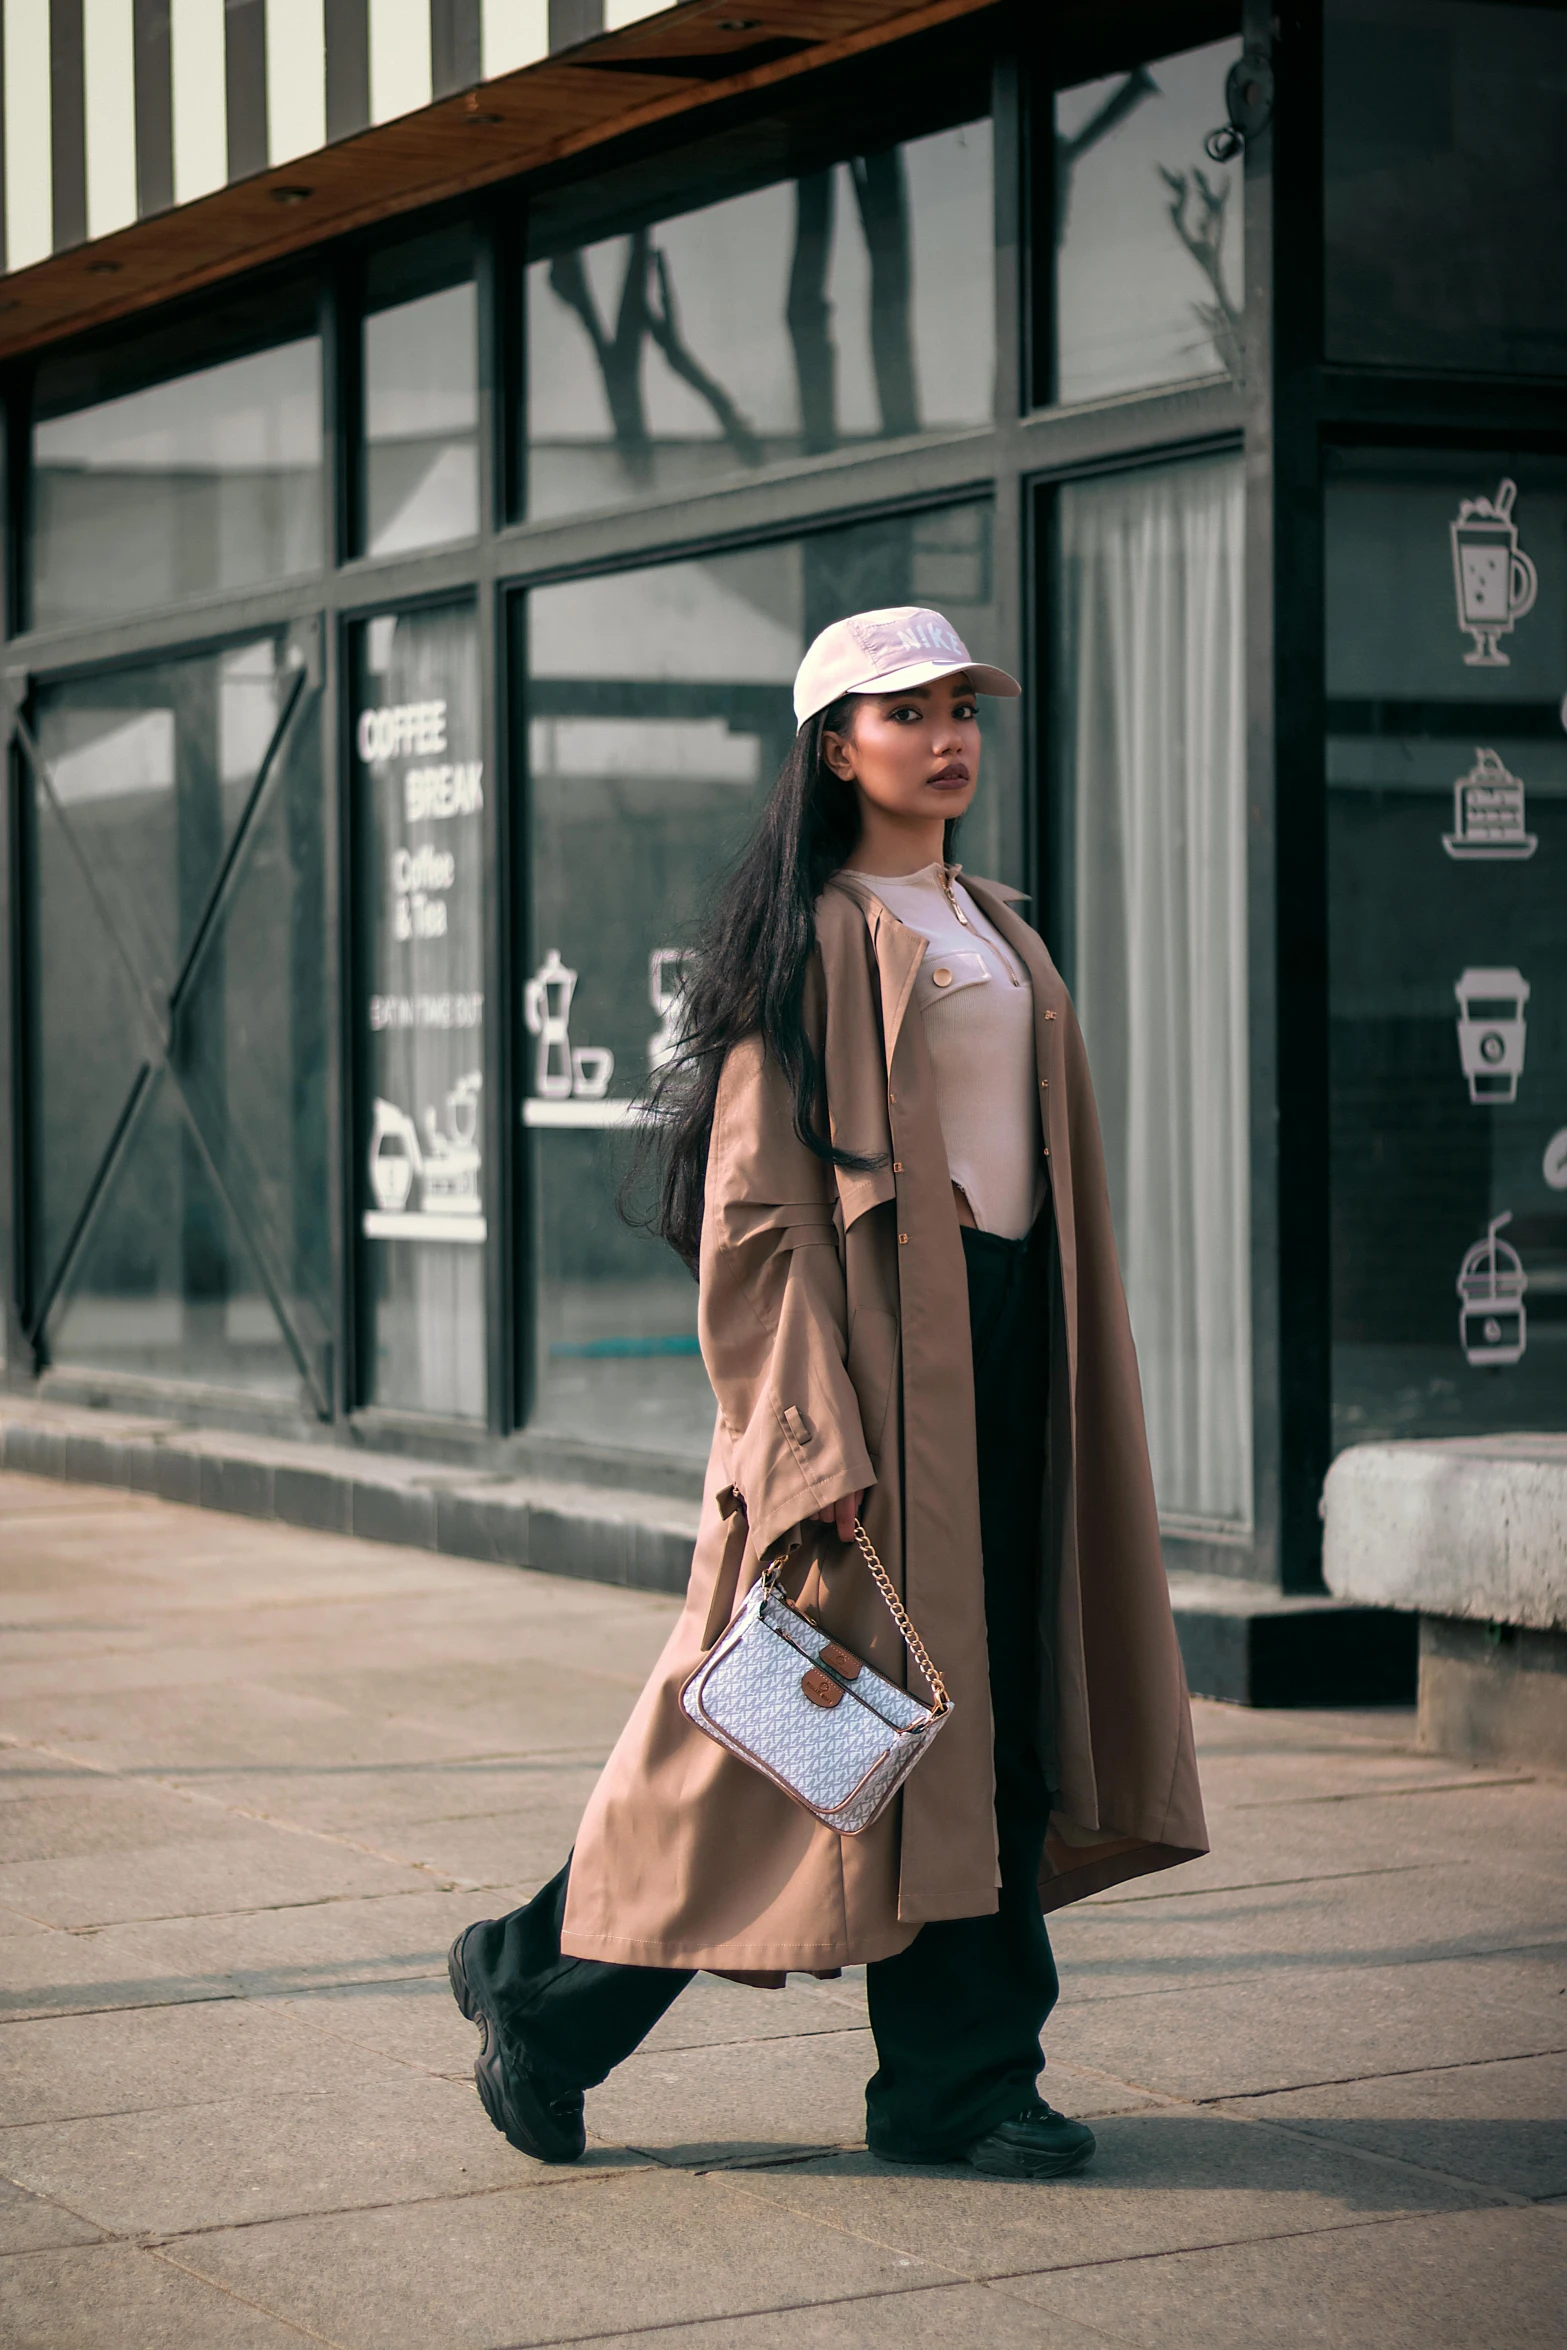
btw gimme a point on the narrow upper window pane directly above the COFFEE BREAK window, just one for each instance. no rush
(422, 396)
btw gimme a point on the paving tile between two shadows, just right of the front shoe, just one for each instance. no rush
(1305, 2025)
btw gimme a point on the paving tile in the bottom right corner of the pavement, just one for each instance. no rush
(1481, 2281)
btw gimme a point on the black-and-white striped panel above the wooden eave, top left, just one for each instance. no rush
(114, 109)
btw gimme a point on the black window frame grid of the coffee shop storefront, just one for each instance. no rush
(1284, 417)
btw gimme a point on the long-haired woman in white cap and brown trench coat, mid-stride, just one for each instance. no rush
(885, 1162)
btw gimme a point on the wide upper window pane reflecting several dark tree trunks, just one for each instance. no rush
(830, 311)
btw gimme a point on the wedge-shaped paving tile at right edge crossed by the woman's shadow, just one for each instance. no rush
(1500, 2126)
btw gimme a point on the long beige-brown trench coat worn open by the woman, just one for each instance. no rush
(835, 1331)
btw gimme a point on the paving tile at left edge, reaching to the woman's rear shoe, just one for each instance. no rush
(398, 2137)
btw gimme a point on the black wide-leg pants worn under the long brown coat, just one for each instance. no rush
(960, 2013)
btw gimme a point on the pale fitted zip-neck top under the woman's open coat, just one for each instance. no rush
(978, 1009)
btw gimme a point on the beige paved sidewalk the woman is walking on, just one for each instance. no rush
(253, 1780)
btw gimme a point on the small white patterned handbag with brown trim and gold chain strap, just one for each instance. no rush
(809, 1714)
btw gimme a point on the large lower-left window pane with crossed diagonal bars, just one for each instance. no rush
(177, 1023)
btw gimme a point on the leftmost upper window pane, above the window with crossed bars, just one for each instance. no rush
(170, 490)
